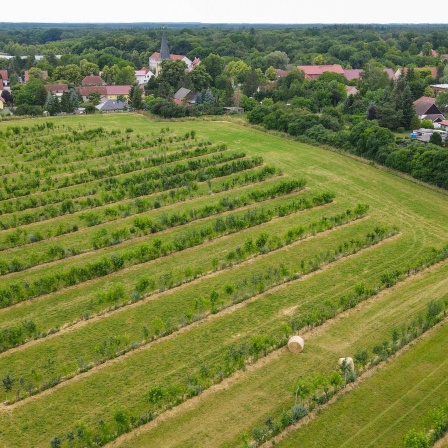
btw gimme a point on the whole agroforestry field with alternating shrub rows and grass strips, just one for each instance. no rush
(151, 274)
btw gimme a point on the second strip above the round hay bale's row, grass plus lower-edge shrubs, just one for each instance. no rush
(177, 307)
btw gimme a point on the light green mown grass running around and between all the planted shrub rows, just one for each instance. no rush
(250, 302)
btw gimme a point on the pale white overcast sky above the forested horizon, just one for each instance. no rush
(224, 11)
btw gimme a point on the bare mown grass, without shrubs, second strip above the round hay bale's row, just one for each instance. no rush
(66, 349)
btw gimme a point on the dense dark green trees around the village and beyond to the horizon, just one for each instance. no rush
(239, 68)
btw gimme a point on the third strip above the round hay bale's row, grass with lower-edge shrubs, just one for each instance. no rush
(201, 265)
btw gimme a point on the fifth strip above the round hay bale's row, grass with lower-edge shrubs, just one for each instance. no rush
(157, 219)
